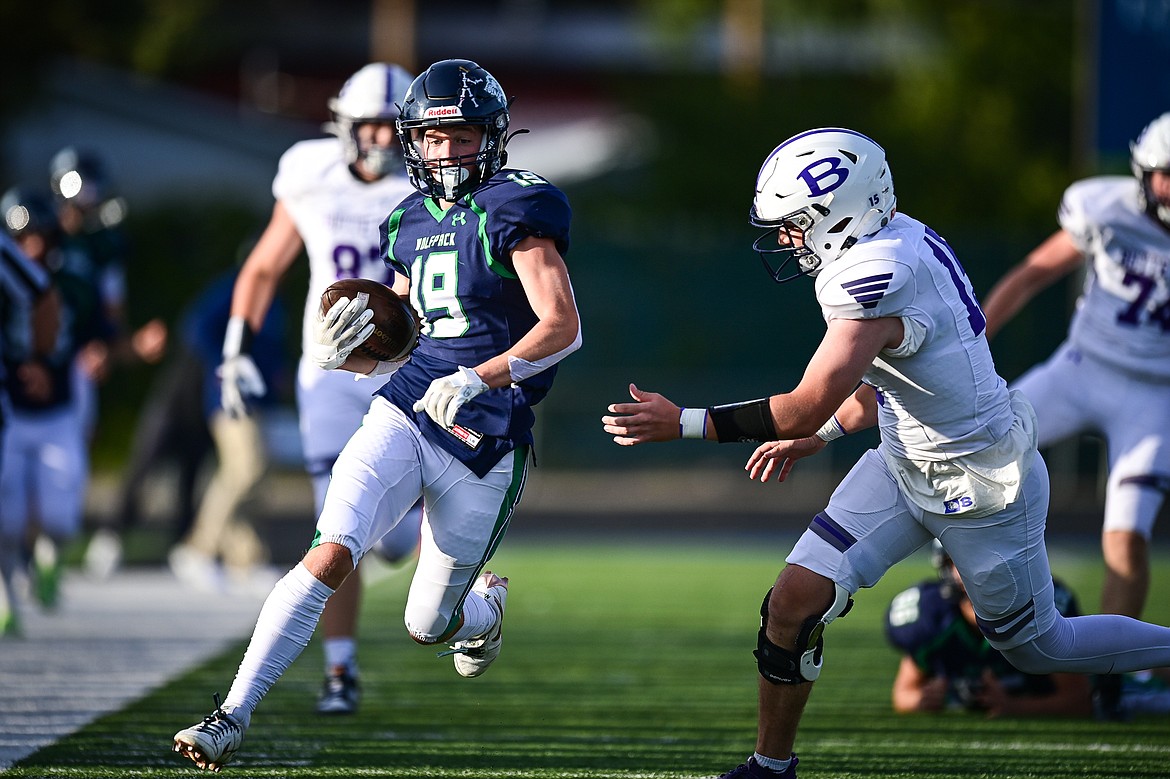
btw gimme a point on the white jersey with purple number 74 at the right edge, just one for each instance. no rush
(1124, 314)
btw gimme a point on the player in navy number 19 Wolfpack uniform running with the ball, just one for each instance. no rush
(480, 252)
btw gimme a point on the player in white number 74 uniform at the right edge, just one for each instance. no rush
(1112, 375)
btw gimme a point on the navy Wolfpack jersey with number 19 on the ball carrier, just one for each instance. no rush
(473, 306)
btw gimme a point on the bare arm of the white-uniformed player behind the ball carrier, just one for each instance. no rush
(274, 254)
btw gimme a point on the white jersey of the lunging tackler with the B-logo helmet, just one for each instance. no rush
(907, 271)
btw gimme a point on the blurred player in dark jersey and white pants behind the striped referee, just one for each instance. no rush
(45, 467)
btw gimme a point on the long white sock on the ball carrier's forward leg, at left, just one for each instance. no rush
(284, 630)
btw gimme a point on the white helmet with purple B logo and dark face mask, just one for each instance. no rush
(823, 190)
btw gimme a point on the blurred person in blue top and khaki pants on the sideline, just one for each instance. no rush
(223, 539)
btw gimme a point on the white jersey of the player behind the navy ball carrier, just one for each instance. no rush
(338, 217)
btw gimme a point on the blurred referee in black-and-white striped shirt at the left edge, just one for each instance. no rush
(30, 322)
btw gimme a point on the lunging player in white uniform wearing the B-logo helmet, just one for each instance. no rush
(904, 349)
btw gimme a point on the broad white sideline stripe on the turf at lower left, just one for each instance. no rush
(108, 645)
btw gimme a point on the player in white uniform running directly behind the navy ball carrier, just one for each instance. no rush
(331, 201)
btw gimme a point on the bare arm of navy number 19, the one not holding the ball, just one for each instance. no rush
(546, 280)
